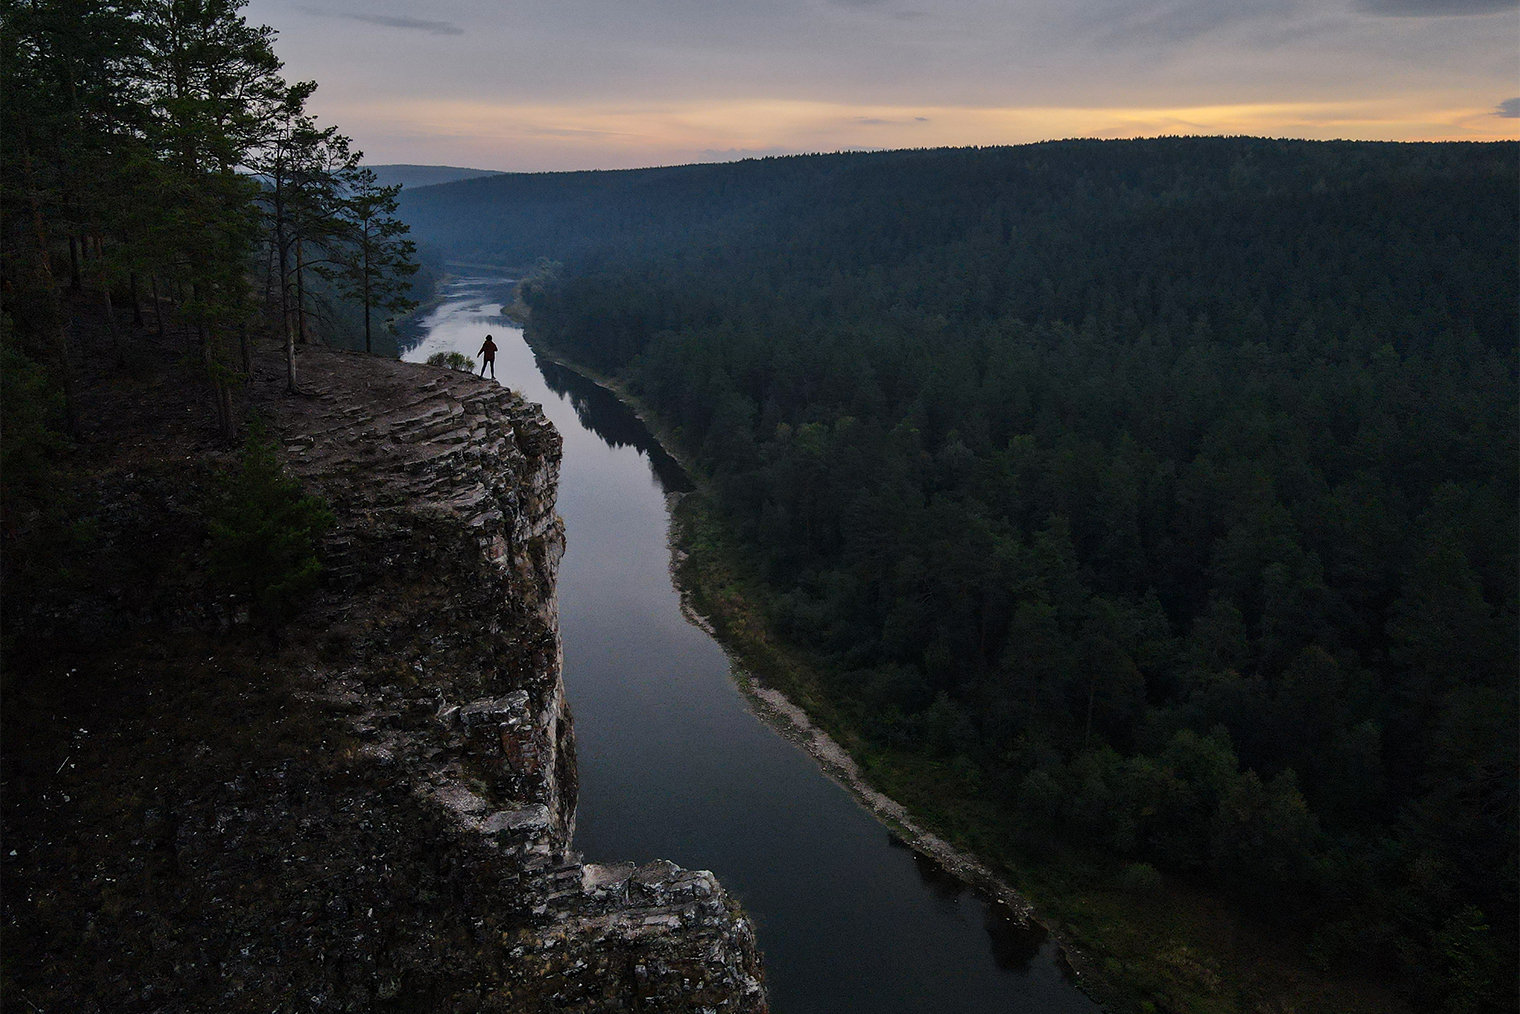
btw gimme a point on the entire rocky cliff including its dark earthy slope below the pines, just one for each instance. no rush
(375, 814)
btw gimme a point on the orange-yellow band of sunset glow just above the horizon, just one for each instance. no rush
(549, 138)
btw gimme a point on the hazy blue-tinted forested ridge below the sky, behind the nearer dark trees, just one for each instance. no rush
(1054, 232)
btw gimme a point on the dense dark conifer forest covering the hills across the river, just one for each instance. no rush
(1164, 490)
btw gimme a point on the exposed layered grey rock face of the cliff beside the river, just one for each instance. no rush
(445, 630)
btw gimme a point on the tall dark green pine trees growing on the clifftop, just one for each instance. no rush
(156, 160)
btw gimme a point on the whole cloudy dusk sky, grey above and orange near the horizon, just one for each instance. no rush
(618, 84)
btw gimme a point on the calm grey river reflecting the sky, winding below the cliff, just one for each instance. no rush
(676, 767)
